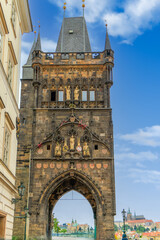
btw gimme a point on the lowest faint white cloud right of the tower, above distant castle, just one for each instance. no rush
(145, 176)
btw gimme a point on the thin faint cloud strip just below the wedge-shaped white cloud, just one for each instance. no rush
(140, 156)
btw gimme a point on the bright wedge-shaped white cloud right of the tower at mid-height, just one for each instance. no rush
(149, 136)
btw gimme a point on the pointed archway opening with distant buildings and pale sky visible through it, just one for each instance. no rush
(74, 216)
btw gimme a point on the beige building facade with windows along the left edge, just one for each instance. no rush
(15, 20)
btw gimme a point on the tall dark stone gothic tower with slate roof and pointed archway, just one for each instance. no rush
(66, 137)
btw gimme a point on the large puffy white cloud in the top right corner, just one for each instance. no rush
(136, 16)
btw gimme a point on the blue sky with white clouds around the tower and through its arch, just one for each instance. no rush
(134, 29)
